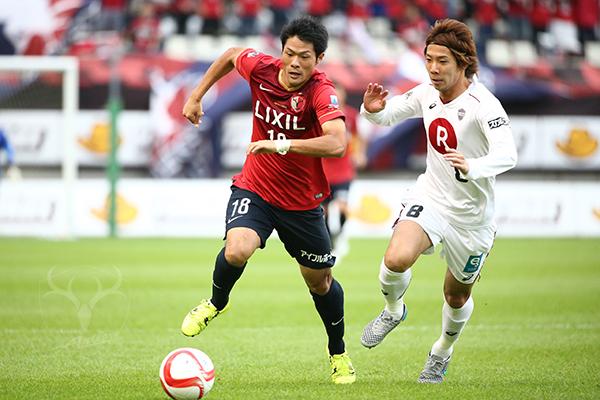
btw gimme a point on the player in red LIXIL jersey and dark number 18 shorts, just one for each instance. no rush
(296, 121)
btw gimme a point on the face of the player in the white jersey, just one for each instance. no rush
(444, 72)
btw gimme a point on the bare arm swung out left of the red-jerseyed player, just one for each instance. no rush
(224, 64)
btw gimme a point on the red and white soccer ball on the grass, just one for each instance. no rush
(187, 374)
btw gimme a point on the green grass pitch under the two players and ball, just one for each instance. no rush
(92, 319)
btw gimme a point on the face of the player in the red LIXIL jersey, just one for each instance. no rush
(299, 61)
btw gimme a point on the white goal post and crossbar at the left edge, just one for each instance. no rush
(69, 67)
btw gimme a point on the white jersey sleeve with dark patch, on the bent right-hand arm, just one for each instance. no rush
(502, 154)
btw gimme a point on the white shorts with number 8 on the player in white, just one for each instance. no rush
(464, 250)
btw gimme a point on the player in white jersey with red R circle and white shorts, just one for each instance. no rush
(469, 143)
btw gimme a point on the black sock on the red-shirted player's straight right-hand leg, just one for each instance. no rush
(331, 309)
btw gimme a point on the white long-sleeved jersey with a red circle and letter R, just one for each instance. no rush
(476, 125)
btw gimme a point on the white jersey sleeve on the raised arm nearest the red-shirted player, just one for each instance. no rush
(398, 108)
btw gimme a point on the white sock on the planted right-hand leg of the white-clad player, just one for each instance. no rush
(453, 322)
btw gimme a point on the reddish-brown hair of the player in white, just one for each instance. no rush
(457, 37)
